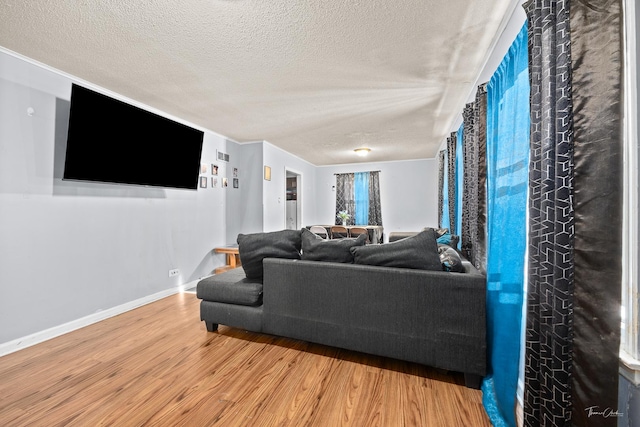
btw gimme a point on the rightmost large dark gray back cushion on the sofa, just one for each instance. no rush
(419, 252)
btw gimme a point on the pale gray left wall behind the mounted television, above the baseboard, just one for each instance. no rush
(71, 249)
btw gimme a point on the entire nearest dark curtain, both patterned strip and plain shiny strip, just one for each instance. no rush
(573, 327)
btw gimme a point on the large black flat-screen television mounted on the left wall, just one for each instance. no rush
(115, 142)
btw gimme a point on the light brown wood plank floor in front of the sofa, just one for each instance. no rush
(157, 365)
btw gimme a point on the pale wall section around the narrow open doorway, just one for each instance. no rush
(274, 198)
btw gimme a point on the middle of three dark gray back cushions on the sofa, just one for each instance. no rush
(315, 248)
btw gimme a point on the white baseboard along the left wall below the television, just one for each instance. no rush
(47, 334)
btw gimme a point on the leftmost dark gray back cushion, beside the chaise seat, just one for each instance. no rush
(253, 248)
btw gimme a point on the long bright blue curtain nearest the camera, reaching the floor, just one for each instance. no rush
(507, 185)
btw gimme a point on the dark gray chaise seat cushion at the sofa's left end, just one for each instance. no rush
(231, 287)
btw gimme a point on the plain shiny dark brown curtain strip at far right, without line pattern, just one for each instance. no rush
(596, 67)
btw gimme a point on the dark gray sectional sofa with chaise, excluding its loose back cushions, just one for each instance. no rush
(432, 317)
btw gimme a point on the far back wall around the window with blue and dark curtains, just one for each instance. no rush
(408, 193)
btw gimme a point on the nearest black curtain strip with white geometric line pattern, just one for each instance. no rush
(548, 394)
